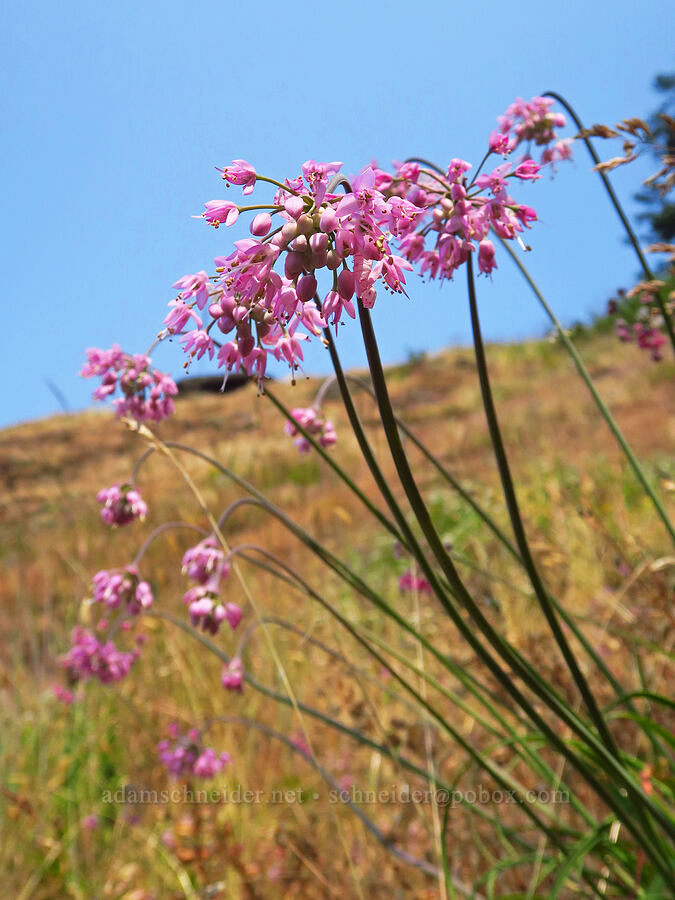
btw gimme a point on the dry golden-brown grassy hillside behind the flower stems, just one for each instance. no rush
(595, 536)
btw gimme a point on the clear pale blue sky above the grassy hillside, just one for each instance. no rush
(115, 115)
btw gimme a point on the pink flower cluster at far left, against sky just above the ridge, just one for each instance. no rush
(147, 394)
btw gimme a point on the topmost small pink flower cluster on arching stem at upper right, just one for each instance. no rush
(531, 122)
